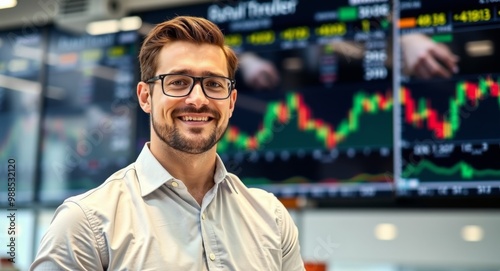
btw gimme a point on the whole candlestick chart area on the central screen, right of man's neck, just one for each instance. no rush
(311, 137)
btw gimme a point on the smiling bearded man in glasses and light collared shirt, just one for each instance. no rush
(176, 208)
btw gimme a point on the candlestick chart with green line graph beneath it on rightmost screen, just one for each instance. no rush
(450, 131)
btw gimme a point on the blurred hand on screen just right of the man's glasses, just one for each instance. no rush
(257, 72)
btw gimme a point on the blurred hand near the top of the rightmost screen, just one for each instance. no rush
(426, 59)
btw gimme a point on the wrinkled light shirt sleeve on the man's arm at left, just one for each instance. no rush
(69, 243)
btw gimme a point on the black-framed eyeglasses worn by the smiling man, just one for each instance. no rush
(181, 85)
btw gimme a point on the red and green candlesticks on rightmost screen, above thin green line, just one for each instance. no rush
(471, 103)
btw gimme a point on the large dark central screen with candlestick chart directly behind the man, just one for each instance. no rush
(315, 107)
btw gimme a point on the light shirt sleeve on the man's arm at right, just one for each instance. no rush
(292, 259)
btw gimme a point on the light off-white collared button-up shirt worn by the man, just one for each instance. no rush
(142, 218)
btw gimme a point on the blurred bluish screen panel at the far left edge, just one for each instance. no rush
(21, 56)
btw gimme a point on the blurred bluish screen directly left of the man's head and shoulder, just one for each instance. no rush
(89, 117)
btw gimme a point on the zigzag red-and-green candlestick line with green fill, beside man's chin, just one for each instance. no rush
(297, 117)
